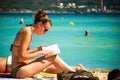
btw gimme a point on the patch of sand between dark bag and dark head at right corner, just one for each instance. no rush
(100, 73)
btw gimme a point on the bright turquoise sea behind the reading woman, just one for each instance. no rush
(99, 50)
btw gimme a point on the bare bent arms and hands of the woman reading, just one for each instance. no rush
(24, 55)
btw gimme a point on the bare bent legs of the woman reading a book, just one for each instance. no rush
(42, 63)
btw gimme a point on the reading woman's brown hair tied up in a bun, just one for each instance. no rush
(41, 16)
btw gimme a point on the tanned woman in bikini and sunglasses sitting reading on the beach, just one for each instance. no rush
(23, 65)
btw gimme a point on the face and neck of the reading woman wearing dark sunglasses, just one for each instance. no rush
(42, 28)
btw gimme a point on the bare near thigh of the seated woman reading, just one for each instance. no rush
(35, 67)
